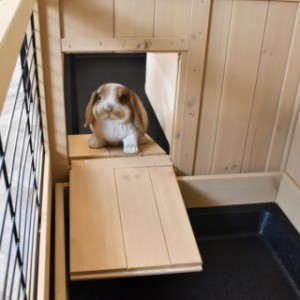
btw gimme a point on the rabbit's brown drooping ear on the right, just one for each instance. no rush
(140, 118)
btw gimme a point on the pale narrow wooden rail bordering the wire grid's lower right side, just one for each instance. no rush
(43, 279)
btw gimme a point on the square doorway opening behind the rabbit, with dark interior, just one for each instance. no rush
(152, 76)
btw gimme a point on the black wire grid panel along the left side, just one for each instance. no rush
(21, 167)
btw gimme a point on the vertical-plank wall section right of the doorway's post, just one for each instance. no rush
(250, 84)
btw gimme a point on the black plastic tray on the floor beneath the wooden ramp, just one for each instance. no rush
(249, 252)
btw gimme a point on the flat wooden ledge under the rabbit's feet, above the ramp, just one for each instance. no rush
(79, 149)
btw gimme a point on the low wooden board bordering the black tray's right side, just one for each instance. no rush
(288, 199)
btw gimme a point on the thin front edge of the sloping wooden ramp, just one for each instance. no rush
(137, 272)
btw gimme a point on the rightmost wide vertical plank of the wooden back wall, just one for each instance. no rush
(273, 61)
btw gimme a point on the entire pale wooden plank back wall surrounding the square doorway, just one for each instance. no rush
(237, 78)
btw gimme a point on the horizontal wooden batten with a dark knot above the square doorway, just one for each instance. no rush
(95, 45)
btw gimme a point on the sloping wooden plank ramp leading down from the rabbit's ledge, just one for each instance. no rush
(127, 218)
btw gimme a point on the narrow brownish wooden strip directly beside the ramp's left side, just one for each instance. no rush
(60, 285)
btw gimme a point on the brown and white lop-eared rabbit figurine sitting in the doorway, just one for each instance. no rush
(115, 114)
